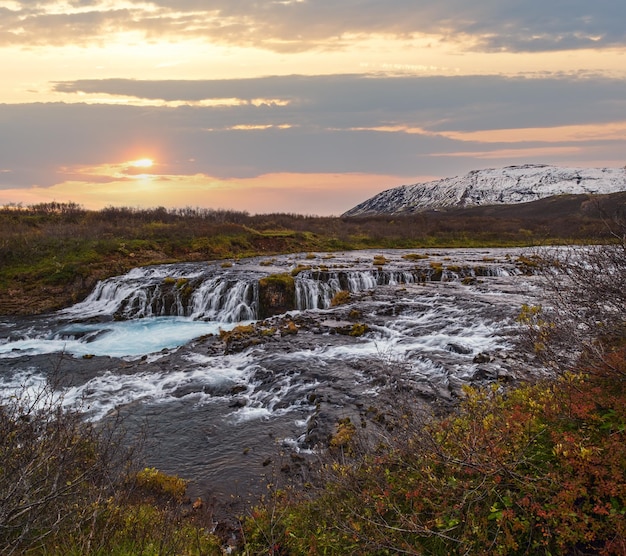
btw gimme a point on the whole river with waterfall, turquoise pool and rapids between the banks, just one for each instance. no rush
(231, 412)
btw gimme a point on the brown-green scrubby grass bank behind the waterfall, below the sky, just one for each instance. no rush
(52, 254)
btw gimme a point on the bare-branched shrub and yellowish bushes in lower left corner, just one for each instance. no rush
(68, 487)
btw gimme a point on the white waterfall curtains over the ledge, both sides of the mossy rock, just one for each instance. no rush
(202, 292)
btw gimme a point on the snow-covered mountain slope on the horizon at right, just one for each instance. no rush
(494, 186)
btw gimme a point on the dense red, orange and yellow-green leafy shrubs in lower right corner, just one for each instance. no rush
(539, 470)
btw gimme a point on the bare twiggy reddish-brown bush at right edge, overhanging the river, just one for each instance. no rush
(585, 309)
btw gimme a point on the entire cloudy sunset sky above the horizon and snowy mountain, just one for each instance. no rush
(298, 106)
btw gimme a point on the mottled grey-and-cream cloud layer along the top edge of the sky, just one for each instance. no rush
(488, 25)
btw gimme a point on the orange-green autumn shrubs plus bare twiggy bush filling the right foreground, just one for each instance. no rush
(539, 469)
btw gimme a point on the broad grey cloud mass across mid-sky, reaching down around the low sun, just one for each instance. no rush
(327, 124)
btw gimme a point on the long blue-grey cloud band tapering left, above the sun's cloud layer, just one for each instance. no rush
(467, 103)
